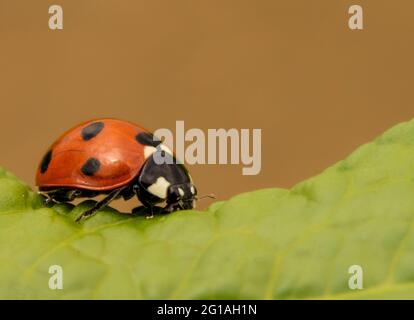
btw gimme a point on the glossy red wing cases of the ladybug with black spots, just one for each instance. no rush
(120, 156)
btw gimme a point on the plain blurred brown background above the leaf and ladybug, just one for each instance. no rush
(291, 68)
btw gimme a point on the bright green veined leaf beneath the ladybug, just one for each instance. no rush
(266, 244)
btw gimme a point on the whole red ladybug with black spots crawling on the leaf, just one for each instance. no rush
(118, 159)
